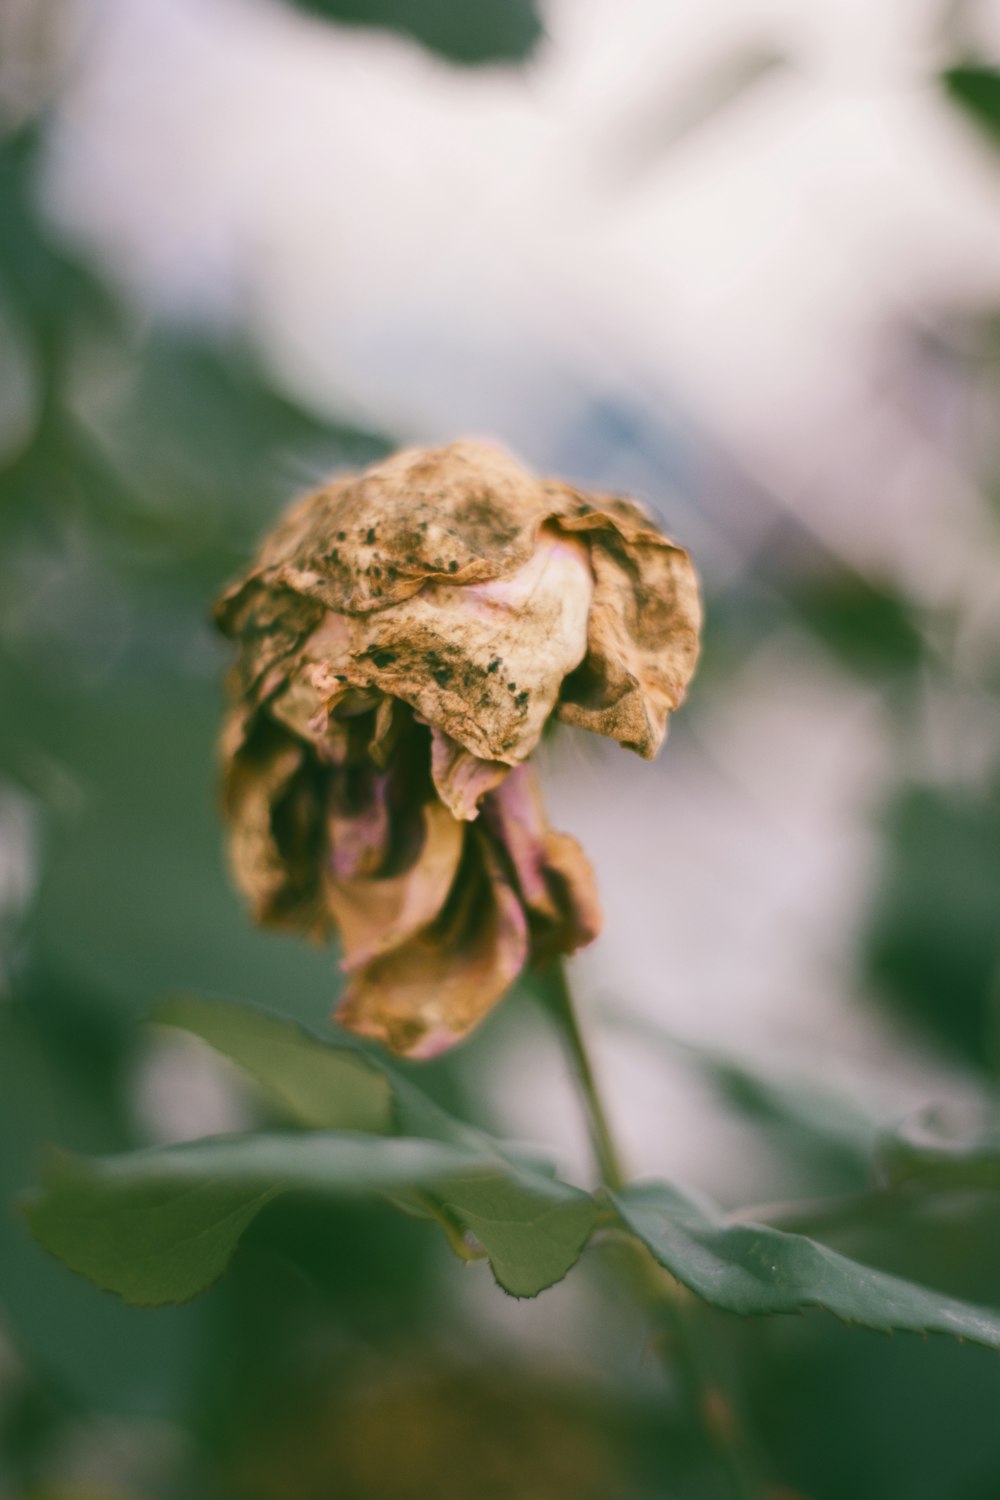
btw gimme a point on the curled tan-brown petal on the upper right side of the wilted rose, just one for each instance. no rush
(644, 629)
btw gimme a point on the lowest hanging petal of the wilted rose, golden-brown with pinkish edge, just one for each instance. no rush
(428, 994)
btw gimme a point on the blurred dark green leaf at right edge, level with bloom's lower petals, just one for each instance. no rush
(933, 944)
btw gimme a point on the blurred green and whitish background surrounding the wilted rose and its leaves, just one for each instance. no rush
(740, 259)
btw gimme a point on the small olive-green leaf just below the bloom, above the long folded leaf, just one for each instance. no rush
(316, 1085)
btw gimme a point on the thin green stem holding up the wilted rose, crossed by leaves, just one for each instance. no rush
(686, 1345)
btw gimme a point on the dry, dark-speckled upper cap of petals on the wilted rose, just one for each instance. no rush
(440, 578)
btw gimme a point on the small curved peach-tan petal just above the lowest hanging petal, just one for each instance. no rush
(377, 914)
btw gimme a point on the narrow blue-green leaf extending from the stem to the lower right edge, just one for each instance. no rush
(756, 1270)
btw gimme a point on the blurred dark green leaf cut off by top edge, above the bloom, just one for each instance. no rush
(487, 32)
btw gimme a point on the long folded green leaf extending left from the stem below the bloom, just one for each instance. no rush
(160, 1226)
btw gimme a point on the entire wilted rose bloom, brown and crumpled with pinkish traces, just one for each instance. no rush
(406, 635)
